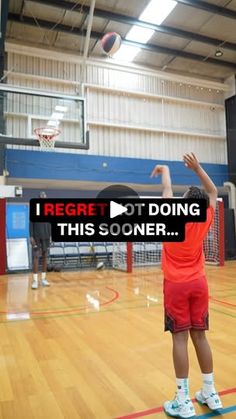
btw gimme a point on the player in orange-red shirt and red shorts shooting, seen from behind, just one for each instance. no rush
(186, 297)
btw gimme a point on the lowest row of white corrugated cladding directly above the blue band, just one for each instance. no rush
(151, 145)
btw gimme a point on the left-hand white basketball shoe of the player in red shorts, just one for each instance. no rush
(179, 409)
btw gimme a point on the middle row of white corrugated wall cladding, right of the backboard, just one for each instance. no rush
(125, 109)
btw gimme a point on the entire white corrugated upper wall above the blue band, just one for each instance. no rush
(142, 113)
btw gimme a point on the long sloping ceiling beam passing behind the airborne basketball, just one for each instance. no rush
(98, 35)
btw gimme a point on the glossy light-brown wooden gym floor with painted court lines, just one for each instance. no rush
(92, 345)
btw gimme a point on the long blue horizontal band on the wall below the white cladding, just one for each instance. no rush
(67, 166)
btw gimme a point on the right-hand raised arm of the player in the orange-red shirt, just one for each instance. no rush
(192, 163)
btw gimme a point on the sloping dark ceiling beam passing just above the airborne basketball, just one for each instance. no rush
(168, 30)
